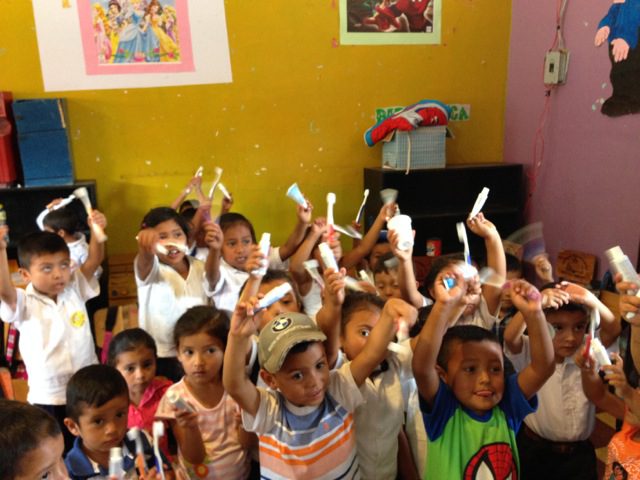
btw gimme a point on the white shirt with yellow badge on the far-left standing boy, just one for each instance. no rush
(55, 337)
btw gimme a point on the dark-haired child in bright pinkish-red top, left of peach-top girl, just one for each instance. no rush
(133, 353)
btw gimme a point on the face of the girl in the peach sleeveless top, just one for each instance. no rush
(201, 357)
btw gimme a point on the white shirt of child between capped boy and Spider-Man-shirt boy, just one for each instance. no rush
(380, 418)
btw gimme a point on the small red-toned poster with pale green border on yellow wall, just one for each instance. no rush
(390, 22)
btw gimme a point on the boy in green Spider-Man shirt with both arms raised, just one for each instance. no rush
(471, 411)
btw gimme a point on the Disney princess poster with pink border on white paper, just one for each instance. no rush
(94, 44)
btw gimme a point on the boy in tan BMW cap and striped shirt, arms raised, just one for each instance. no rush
(305, 423)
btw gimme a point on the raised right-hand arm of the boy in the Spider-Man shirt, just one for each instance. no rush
(527, 300)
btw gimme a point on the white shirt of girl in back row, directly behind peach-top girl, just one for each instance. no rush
(164, 296)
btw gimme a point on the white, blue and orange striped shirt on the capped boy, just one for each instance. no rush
(308, 442)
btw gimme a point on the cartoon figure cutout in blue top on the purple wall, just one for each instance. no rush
(619, 28)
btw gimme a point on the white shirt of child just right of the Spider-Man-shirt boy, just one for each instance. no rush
(564, 413)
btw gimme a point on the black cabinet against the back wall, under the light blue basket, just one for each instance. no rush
(437, 198)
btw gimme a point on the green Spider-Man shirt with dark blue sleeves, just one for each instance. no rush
(464, 445)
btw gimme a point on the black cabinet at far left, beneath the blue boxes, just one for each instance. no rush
(24, 204)
